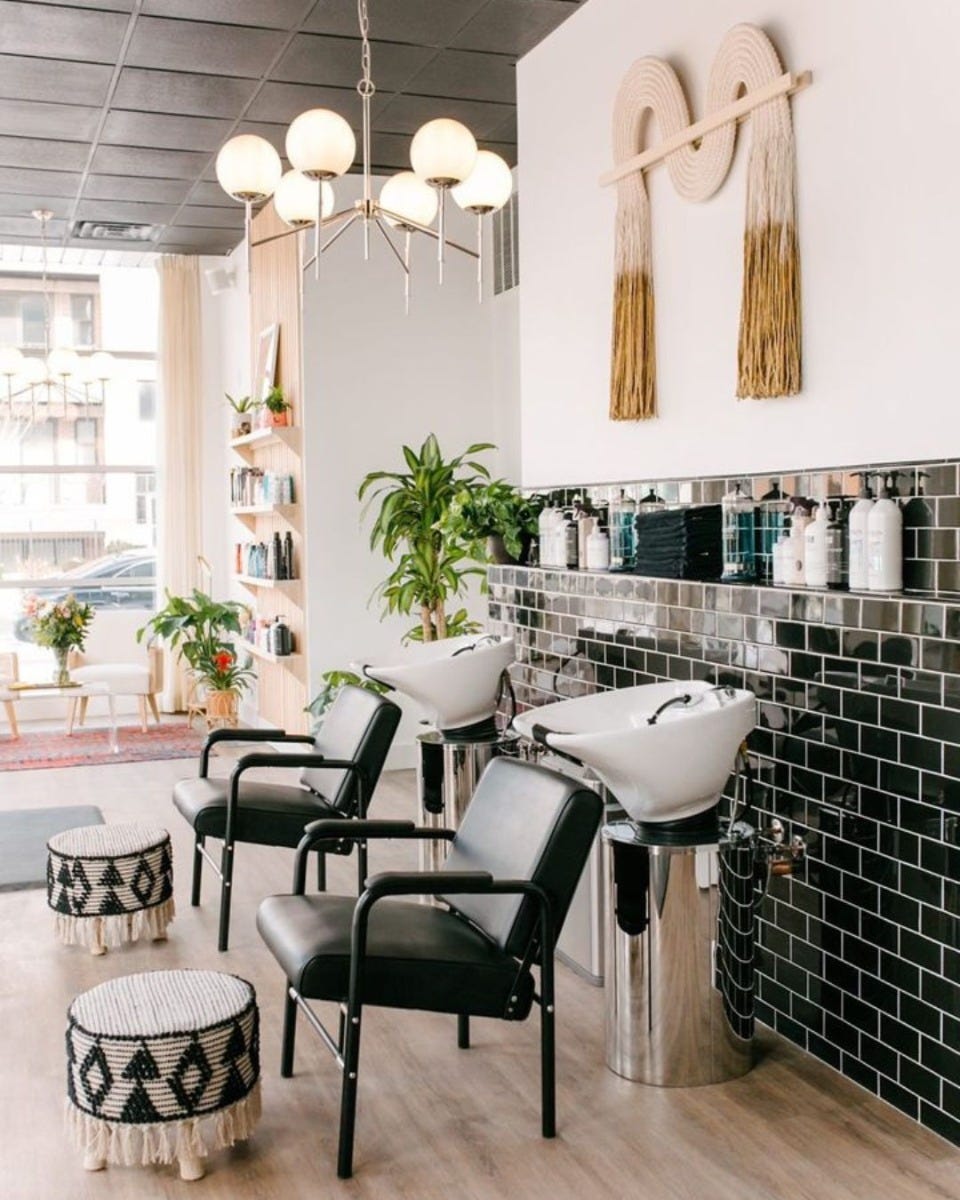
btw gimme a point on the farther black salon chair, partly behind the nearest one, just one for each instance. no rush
(338, 778)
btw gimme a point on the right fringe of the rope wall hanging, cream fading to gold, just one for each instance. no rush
(770, 345)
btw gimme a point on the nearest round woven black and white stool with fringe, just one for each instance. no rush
(159, 1065)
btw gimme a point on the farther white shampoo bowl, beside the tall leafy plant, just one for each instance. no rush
(457, 681)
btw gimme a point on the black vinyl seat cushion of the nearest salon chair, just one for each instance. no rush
(418, 957)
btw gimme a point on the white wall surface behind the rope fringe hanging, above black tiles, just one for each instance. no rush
(878, 184)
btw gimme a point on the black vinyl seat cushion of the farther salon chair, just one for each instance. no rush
(268, 814)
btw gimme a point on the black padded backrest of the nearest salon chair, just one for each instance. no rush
(529, 824)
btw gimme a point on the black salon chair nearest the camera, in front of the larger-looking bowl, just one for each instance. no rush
(507, 886)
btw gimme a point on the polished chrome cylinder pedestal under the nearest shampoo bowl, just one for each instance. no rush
(679, 958)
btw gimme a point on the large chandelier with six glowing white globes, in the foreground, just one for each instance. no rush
(322, 147)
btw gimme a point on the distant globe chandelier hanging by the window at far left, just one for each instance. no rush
(62, 373)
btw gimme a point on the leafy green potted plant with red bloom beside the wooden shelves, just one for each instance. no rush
(199, 629)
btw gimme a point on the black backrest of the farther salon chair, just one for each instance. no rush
(359, 727)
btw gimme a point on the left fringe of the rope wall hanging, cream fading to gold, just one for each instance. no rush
(633, 383)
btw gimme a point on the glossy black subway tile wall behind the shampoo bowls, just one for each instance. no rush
(859, 751)
